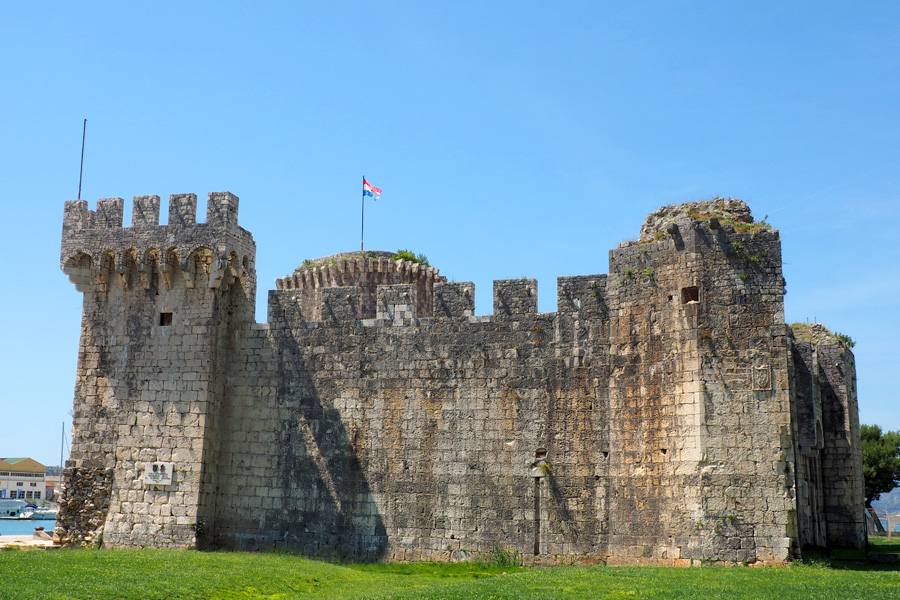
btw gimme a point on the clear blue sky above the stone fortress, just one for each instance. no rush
(510, 138)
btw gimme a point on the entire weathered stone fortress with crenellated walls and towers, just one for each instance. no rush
(664, 414)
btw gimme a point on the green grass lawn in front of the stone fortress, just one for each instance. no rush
(157, 574)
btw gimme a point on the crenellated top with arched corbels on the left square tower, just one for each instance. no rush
(95, 245)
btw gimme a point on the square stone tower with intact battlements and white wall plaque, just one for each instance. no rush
(161, 304)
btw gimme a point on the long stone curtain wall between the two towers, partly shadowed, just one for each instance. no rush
(416, 439)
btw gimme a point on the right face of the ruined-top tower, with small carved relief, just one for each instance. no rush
(748, 464)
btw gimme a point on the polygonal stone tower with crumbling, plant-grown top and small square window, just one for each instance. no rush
(699, 389)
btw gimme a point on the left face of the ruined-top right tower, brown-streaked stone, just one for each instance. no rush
(654, 407)
